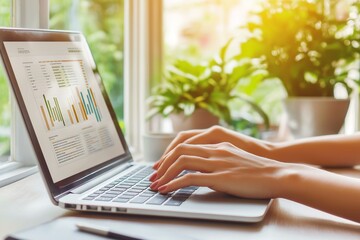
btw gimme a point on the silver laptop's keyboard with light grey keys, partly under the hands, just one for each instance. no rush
(134, 187)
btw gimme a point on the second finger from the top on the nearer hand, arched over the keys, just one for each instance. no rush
(191, 163)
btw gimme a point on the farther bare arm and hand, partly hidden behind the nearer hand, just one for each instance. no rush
(329, 151)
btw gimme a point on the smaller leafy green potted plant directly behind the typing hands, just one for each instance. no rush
(198, 95)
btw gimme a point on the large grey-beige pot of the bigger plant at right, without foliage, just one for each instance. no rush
(314, 116)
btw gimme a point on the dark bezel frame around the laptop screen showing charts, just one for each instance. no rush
(58, 189)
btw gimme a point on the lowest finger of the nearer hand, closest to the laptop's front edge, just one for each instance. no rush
(190, 179)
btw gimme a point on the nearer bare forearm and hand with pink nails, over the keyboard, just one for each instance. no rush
(226, 168)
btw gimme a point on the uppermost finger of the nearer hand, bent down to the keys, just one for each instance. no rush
(180, 150)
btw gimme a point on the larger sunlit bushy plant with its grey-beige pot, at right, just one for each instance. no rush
(308, 52)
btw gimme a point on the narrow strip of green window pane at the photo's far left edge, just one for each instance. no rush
(5, 10)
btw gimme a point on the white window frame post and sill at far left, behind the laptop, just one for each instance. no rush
(22, 160)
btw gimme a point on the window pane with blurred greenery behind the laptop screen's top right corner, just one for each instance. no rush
(102, 22)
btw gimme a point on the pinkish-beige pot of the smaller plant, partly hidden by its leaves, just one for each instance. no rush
(200, 119)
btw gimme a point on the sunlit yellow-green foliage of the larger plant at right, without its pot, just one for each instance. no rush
(302, 47)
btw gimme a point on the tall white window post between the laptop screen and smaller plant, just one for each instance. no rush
(142, 66)
